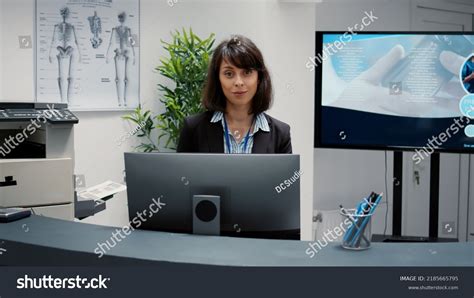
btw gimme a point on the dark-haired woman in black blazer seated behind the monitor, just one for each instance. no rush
(237, 93)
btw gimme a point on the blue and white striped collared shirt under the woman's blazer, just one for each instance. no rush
(261, 123)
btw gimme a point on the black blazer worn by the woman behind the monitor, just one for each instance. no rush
(200, 135)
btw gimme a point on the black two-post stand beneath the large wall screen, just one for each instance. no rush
(397, 204)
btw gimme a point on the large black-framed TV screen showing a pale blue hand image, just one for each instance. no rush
(394, 90)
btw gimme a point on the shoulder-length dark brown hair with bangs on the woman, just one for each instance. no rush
(243, 53)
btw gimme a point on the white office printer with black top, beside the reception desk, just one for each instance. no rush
(37, 160)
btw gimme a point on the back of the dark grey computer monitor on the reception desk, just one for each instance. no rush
(259, 193)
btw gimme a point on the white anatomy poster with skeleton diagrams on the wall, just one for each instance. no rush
(87, 53)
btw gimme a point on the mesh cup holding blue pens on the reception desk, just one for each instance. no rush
(358, 233)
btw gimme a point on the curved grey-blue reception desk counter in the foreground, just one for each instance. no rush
(40, 237)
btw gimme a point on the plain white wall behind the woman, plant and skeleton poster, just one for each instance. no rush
(283, 31)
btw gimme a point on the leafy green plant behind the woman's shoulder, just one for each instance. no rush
(186, 65)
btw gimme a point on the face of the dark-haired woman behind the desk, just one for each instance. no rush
(239, 85)
